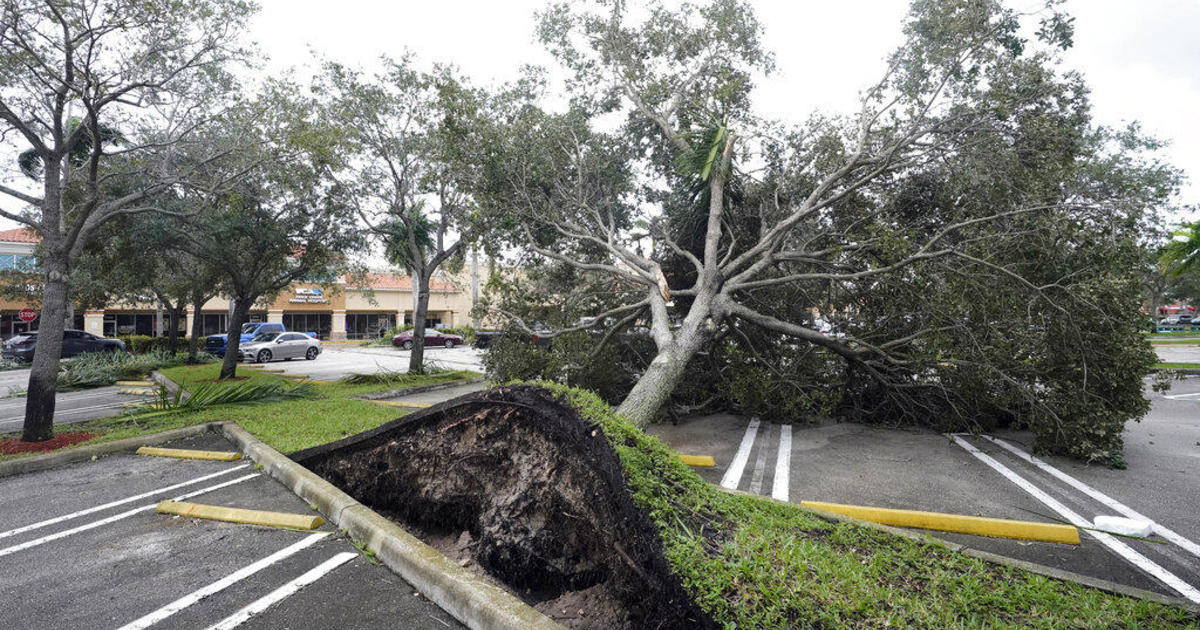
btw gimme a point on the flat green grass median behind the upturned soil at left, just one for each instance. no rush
(286, 425)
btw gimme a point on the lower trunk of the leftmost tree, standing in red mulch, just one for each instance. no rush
(44, 377)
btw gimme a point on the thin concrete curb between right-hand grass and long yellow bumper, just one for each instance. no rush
(995, 559)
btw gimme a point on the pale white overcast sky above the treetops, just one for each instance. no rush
(1142, 58)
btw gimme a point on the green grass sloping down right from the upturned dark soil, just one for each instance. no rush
(765, 565)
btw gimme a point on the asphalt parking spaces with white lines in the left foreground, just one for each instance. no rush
(81, 547)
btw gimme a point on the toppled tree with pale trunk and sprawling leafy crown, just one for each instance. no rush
(949, 235)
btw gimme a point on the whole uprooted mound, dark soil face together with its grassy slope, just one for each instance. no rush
(598, 525)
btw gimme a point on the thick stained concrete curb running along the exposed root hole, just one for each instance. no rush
(475, 602)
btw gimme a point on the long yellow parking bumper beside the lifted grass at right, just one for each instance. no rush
(977, 526)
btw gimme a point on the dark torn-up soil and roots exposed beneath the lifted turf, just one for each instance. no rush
(514, 483)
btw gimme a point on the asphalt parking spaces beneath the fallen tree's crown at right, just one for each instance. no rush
(926, 471)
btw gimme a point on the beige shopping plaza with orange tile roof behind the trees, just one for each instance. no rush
(346, 311)
